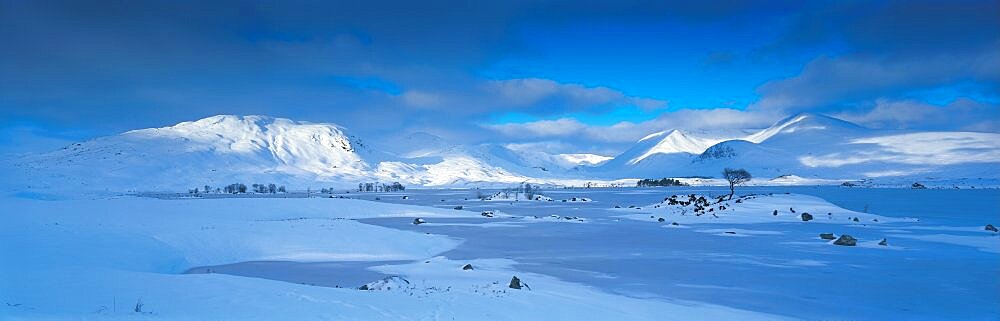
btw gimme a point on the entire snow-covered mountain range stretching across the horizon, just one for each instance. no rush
(220, 150)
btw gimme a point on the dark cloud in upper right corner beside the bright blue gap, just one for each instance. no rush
(887, 51)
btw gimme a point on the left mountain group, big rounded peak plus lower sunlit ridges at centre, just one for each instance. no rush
(224, 149)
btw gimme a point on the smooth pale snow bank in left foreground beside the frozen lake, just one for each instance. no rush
(121, 259)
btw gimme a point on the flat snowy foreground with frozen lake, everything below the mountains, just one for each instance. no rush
(610, 257)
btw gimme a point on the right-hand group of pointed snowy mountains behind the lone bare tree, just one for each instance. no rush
(815, 146)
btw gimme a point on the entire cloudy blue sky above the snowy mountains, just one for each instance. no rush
(585, 76)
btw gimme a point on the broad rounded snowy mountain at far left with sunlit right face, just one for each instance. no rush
(215, 150)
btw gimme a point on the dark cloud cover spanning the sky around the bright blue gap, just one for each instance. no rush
(382, 67)
